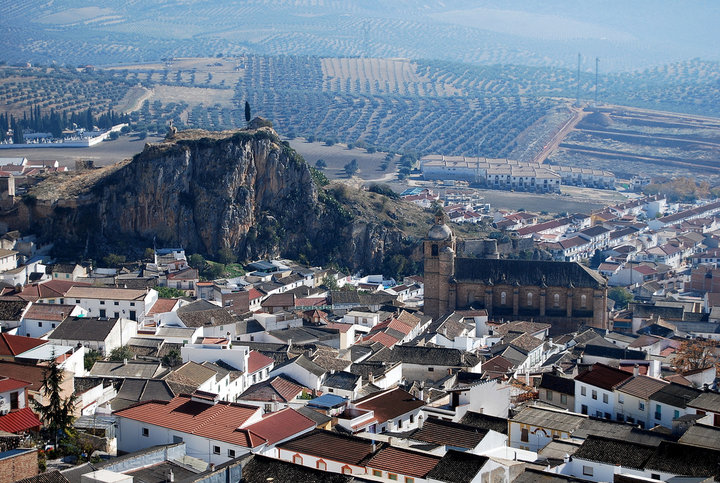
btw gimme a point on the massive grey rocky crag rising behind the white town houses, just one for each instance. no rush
(242, 190)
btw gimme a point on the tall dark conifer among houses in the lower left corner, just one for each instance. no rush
(57, 414)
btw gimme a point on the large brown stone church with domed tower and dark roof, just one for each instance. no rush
(565, 294)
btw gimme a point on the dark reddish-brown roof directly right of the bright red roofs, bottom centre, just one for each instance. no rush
(332, 446)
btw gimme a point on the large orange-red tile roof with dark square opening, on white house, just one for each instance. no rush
(220, 422)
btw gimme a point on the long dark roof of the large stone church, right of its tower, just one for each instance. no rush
(526, 272)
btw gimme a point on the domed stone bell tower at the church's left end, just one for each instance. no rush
(439, 255)
